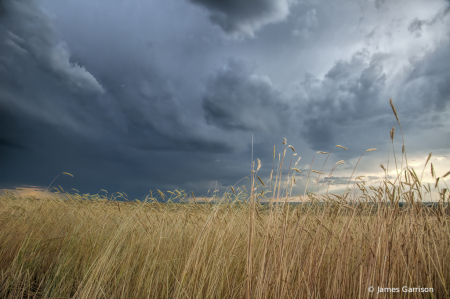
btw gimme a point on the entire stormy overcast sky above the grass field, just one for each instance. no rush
(138, 95)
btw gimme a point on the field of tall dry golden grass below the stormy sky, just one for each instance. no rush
(81, 246)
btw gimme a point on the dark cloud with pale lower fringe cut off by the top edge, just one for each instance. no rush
(245, 17)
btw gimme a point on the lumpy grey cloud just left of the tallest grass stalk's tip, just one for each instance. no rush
(349, 92)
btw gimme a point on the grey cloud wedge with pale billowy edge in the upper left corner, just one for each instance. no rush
(27, 33)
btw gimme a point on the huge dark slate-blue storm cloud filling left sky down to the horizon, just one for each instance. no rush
(53, 121)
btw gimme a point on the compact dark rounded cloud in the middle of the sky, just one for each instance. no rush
(237, 99)
